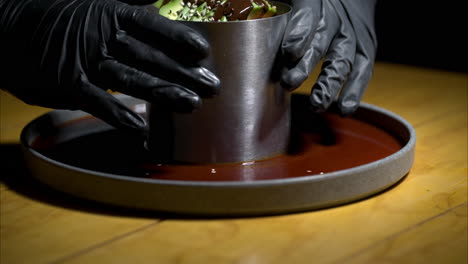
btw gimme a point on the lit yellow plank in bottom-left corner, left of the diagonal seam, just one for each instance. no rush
(36, 232)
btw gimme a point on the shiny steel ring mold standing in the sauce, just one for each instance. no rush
(250, 118)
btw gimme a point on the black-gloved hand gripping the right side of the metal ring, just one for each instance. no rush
(342, 33)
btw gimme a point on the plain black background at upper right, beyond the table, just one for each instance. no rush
(423, 33)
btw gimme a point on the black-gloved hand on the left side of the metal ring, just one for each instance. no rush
(66, 53)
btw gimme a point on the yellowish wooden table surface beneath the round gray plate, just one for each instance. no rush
(423, 219)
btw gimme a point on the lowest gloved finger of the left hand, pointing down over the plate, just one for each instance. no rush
(103, 105)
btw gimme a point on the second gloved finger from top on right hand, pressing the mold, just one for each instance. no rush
(327, 28)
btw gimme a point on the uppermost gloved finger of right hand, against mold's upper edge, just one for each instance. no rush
(300, 29)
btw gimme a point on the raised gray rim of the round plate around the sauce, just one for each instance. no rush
(298, 189)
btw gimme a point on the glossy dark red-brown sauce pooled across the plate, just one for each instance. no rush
(322, 144)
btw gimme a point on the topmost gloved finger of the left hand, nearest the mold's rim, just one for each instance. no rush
(160, 31)
